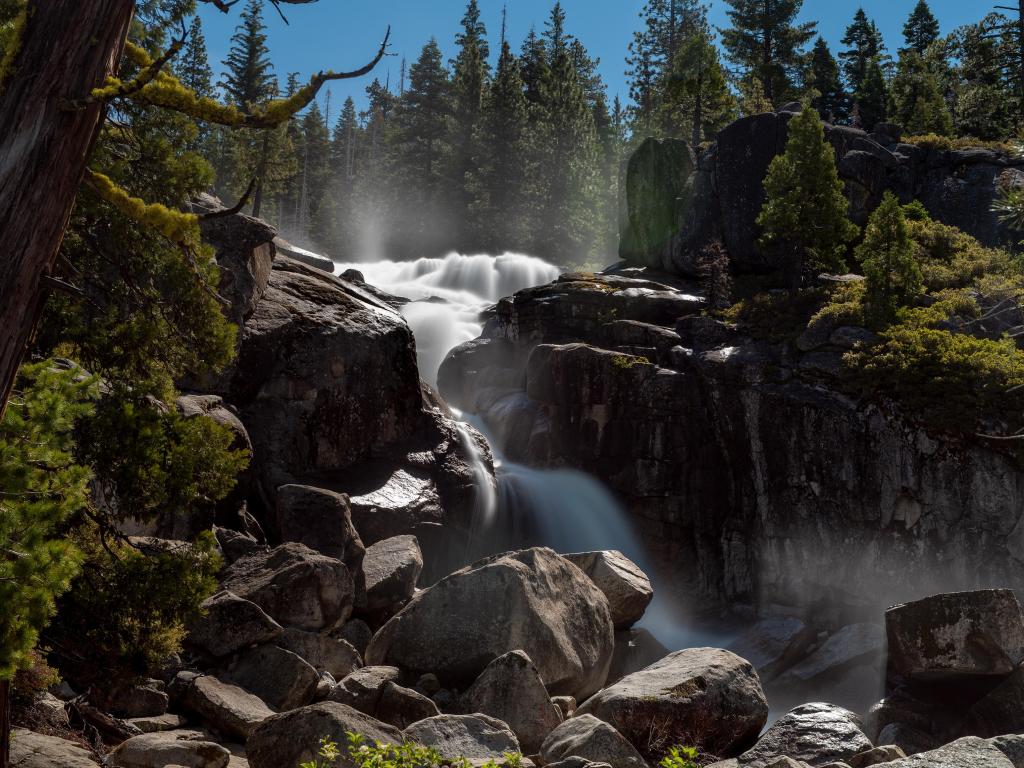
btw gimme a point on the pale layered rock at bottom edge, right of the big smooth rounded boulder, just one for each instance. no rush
(816, 734)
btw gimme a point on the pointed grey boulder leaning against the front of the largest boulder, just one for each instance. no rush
(511, 691)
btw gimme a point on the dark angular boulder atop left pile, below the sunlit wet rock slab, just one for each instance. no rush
(322, 521)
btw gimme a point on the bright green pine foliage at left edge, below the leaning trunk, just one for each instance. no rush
(42, 487)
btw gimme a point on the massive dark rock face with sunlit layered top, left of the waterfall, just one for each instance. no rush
(344, 348)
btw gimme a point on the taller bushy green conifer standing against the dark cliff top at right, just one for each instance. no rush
(805, 215)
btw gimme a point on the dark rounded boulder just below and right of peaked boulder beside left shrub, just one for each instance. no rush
(282, 679)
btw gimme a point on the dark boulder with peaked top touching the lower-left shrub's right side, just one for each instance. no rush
(230, 624)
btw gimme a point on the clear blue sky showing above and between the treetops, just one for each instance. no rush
(340, 35)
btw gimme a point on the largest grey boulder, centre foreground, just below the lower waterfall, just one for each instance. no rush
(534, 601)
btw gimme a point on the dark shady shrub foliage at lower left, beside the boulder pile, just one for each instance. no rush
(129, 611)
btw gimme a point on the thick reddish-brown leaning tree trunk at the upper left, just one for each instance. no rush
(68, 49)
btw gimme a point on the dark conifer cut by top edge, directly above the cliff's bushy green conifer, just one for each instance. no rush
(764, 40)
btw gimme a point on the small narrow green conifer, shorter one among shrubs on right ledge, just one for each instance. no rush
(893, 276)
